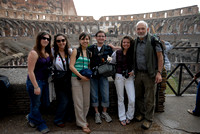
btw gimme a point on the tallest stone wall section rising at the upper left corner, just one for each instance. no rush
(62, 7)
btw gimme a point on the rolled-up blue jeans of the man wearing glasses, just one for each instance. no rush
(102, 84)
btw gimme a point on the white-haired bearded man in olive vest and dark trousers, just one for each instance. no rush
(148, 64)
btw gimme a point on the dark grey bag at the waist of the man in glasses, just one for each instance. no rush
(107, 69)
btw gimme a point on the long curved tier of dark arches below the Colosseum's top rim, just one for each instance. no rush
(175, 25)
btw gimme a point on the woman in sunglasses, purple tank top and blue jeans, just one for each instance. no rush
(39, 61)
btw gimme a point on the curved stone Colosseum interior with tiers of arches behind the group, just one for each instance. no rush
(21, 20)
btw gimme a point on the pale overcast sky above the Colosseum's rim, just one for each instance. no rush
(98, 8)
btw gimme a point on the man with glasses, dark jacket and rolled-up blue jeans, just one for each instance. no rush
(100, 53)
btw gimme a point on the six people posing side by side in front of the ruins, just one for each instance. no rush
(138, 71)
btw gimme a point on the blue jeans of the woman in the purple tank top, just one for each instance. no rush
(35, 102)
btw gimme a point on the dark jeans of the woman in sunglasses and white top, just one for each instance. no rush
(63, 100)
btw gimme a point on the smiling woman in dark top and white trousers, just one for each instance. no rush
(124, 79)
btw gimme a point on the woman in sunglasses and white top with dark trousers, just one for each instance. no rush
(61, 53)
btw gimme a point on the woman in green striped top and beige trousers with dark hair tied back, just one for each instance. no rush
(80, 84)
